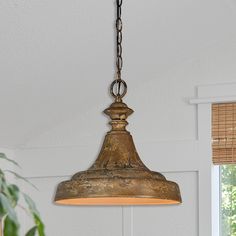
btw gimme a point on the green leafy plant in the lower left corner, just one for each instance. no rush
(10, 195)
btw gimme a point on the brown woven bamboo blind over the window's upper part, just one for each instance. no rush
(224, 133)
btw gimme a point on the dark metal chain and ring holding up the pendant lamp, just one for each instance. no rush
(119, 84)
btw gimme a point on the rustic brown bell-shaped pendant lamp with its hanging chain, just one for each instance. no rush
(118, 176)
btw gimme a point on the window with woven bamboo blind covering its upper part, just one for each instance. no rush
(224, 155)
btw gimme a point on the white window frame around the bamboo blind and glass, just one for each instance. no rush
(209, 197)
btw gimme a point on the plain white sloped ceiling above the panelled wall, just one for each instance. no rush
(57, 56)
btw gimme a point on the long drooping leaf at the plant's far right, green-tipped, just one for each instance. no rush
(37, 220)
